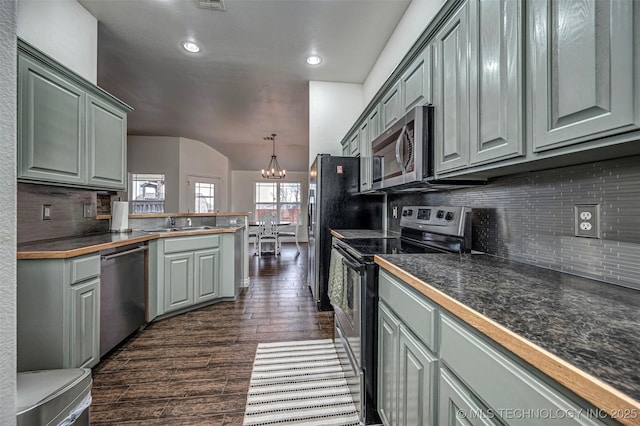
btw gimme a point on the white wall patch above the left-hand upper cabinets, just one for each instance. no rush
(64, 30)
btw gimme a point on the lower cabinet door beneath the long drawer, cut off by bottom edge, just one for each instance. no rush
(458, 406)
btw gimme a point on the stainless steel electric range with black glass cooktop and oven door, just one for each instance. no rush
(424, 229)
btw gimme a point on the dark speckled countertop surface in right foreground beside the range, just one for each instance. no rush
(591, 325)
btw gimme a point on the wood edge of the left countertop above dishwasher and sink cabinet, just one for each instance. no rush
(65, 254)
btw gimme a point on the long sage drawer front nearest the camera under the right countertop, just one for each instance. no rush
(502, 383)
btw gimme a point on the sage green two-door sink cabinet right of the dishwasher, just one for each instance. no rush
(194, 270)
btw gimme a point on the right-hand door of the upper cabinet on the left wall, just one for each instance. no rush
(106, 144)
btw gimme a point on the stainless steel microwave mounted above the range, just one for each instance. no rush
(403, 154)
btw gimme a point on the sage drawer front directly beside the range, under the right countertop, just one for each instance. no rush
(412, 308)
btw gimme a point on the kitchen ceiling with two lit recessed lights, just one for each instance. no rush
(251, 78)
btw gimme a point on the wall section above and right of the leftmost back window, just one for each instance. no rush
(157, 154)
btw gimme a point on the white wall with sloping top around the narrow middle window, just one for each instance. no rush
(199, 159)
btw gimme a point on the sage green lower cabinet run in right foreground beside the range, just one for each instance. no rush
(434, 369)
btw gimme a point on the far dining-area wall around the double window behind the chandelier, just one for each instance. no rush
(242, 193)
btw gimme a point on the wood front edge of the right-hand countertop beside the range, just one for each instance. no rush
(600, 394)
